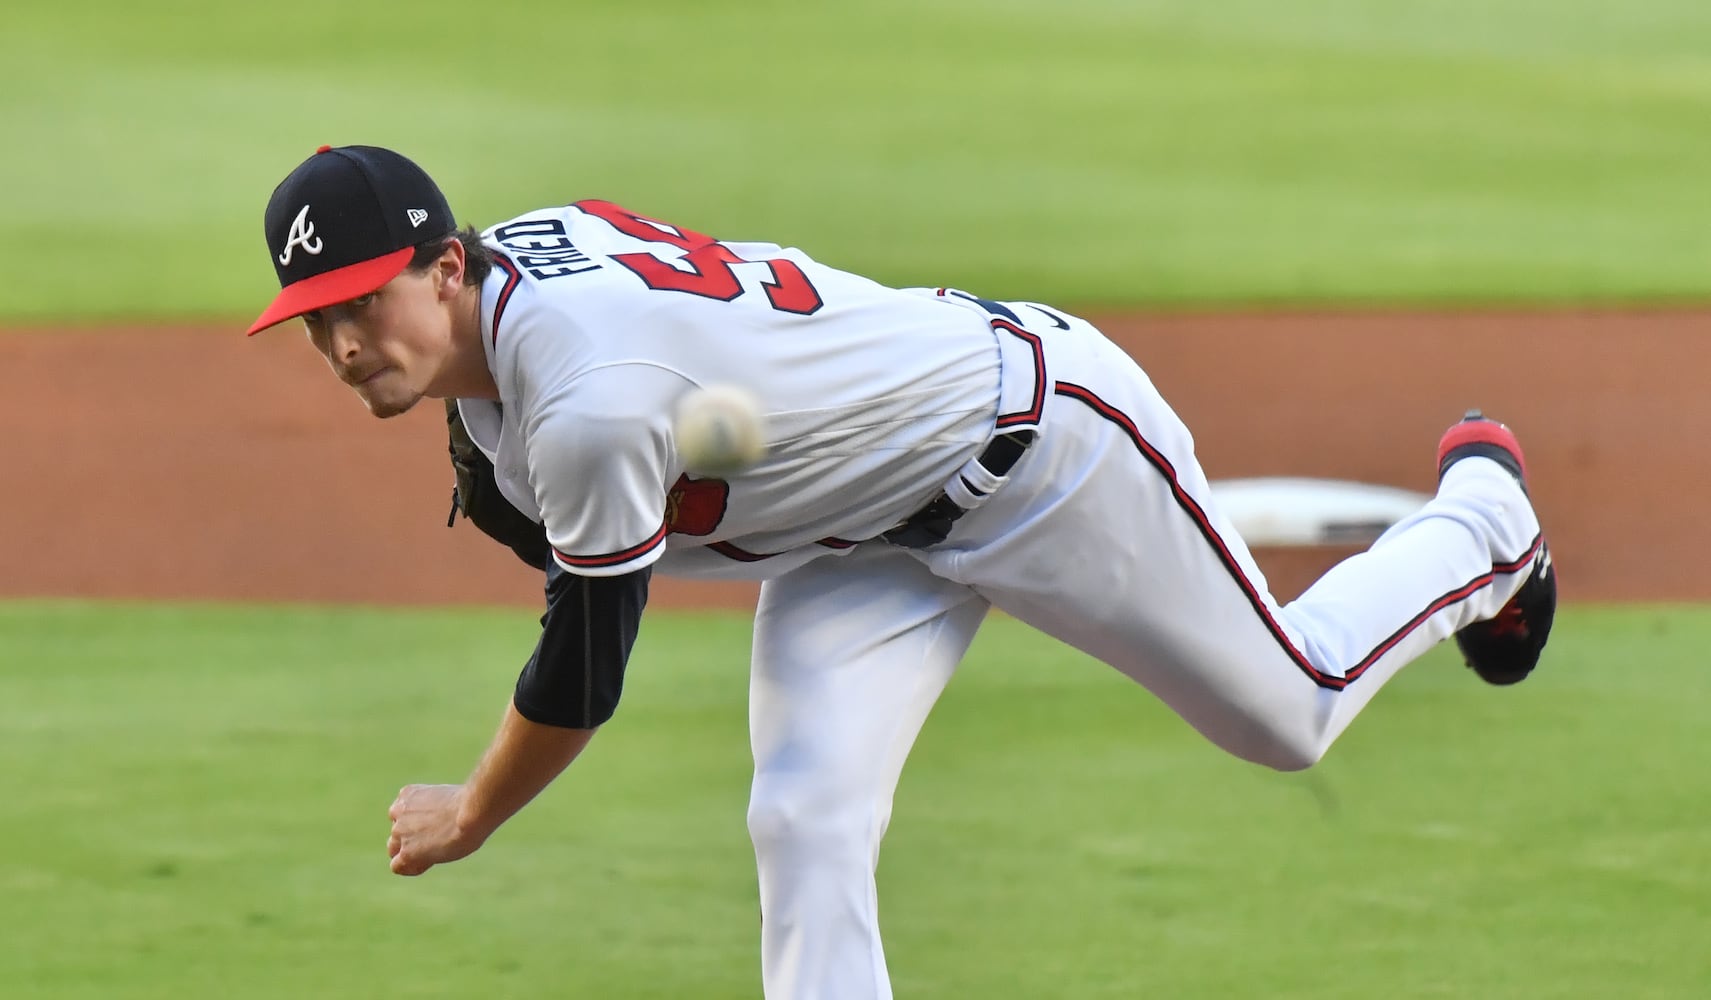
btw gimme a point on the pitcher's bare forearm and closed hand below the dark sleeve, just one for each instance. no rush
(434, 824)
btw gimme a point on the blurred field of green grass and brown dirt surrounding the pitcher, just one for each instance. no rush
(234, 624)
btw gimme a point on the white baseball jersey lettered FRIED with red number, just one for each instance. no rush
(598, 321)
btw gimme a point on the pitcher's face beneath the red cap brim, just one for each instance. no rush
(391, 345)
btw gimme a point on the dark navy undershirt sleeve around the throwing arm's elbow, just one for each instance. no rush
(577, 670)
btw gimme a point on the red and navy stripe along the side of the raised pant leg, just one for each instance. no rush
(1199, 515)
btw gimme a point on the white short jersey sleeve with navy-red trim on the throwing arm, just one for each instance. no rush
(600, 460)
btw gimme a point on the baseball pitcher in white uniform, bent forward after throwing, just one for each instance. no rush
(928, 456)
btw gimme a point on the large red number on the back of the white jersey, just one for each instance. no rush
(711, 275)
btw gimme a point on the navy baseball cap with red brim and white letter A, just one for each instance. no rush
(345, 223)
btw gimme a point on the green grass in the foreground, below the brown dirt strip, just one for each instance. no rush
(196, 807)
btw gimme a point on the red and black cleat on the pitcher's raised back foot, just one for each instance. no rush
(1507, 648)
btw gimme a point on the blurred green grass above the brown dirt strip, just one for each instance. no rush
(1079, 152)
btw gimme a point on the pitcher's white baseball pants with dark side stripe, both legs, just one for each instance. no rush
(1106, 537)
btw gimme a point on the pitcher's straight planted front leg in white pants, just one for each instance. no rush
(850, 658)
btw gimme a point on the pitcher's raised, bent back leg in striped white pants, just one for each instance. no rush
(1110, 540)
